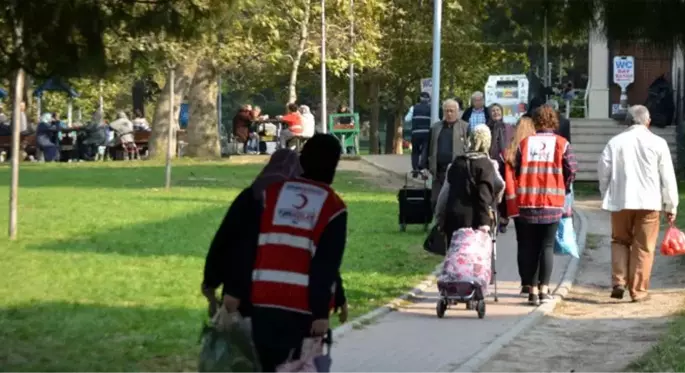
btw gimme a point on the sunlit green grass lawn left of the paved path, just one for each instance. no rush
(106, 273)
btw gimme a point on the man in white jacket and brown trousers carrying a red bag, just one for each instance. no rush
(637, 182)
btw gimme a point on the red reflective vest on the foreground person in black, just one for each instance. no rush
(296, 212)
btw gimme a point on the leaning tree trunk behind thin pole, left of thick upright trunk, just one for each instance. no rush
(160, 123)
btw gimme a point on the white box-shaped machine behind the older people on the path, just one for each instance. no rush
(511, 92)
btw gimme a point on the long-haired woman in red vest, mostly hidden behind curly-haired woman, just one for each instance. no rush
(524, 128)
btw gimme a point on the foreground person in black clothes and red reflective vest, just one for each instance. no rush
(302, 234)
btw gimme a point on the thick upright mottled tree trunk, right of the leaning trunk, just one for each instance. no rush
(203, 128)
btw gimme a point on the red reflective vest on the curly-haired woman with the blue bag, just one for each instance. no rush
(541, 179)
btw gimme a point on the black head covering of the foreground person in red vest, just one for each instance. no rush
(319, 158)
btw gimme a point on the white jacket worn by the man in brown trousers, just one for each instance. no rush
(635, 172)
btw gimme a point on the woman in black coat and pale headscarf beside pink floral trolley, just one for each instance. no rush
(472, 188)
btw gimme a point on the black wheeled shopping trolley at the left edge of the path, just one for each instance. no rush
(415, 205)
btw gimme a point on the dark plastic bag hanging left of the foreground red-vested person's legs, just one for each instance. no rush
(227, 345)
